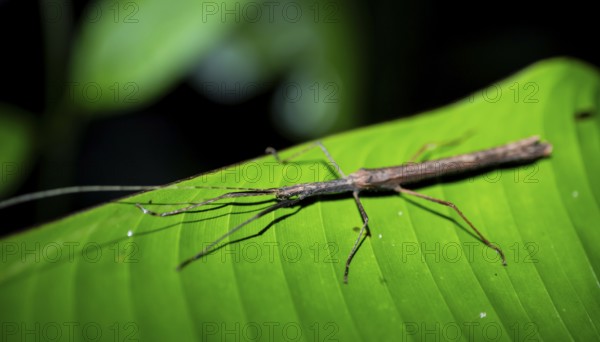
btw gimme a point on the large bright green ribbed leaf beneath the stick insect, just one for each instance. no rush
(421, 274)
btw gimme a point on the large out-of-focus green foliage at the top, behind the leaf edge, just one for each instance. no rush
(131, 53)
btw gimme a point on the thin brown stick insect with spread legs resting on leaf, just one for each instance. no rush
(389, 178)
